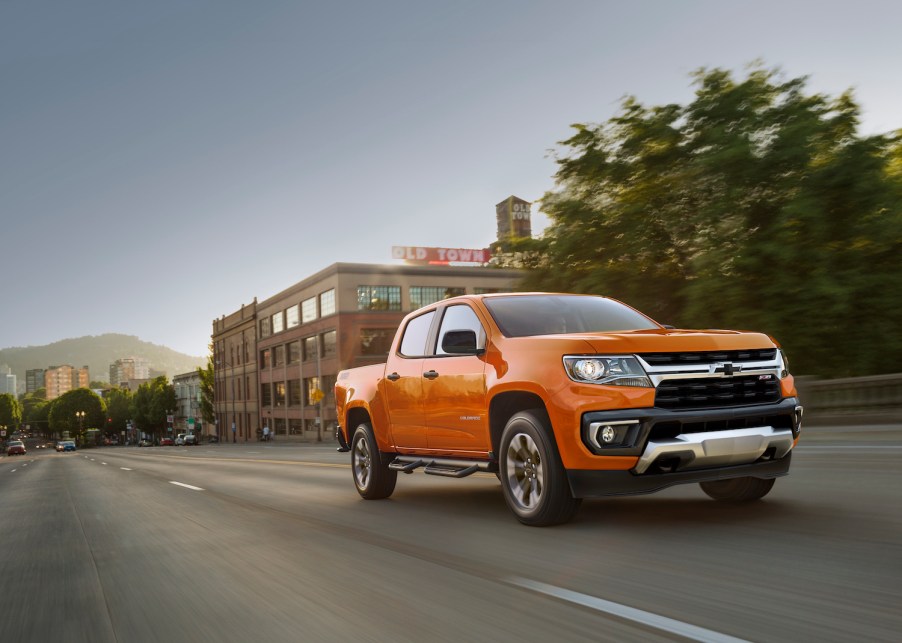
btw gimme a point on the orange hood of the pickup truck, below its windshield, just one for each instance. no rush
(657, 341)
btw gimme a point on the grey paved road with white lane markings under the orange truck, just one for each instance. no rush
(273, 544)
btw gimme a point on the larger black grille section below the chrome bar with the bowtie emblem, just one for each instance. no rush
(713, 392)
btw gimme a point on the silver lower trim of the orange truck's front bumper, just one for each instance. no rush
(689, 451)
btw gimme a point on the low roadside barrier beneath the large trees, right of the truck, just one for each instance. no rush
(878, 397)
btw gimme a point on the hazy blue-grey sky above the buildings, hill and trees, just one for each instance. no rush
(162, 163)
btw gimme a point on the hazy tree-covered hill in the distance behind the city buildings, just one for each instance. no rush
(97, 353)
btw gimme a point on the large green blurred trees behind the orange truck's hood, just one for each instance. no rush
(755, 206)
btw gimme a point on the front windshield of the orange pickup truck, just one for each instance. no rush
(522, 316)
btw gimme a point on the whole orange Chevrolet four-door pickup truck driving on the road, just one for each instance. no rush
(566, 397)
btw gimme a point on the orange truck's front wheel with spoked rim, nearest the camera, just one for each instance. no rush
(532, 477)
